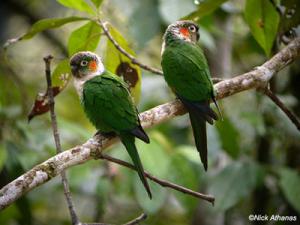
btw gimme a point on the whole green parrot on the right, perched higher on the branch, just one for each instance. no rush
(187, 74)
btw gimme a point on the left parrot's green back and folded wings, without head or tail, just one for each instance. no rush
(108, 104)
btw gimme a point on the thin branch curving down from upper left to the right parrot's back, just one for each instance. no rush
(124, 52)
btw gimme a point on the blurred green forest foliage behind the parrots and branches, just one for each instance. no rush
(254, 154)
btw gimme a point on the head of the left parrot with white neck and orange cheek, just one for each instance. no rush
(86, 65)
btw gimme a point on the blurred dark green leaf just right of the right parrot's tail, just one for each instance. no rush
(229, 136)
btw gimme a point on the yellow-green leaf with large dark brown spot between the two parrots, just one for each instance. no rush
(119, 64)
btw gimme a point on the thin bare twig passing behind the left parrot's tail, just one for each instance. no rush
(161, 182)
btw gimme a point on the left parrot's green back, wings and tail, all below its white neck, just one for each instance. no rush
(109, 106)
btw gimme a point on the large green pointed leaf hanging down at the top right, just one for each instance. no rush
(263, 20)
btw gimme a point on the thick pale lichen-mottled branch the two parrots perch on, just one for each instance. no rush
(80, 154)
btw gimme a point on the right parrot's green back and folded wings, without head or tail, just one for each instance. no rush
(186, 70)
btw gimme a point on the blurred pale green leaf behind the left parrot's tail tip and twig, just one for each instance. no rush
(156, 161)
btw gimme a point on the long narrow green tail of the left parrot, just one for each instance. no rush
(128, 141)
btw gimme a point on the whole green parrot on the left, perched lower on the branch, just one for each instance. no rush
(108, 105)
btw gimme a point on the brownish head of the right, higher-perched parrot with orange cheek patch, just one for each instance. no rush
(185, 30)
